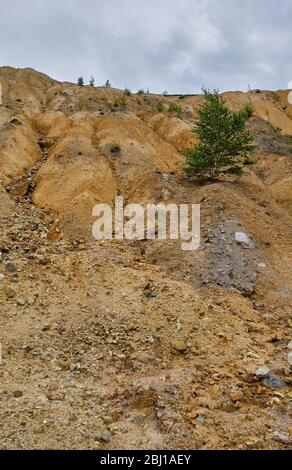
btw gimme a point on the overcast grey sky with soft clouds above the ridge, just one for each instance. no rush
(173, 45)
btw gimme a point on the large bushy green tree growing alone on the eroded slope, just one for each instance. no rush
(224, 140)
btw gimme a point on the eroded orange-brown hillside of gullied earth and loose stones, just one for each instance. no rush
(138, 344)
